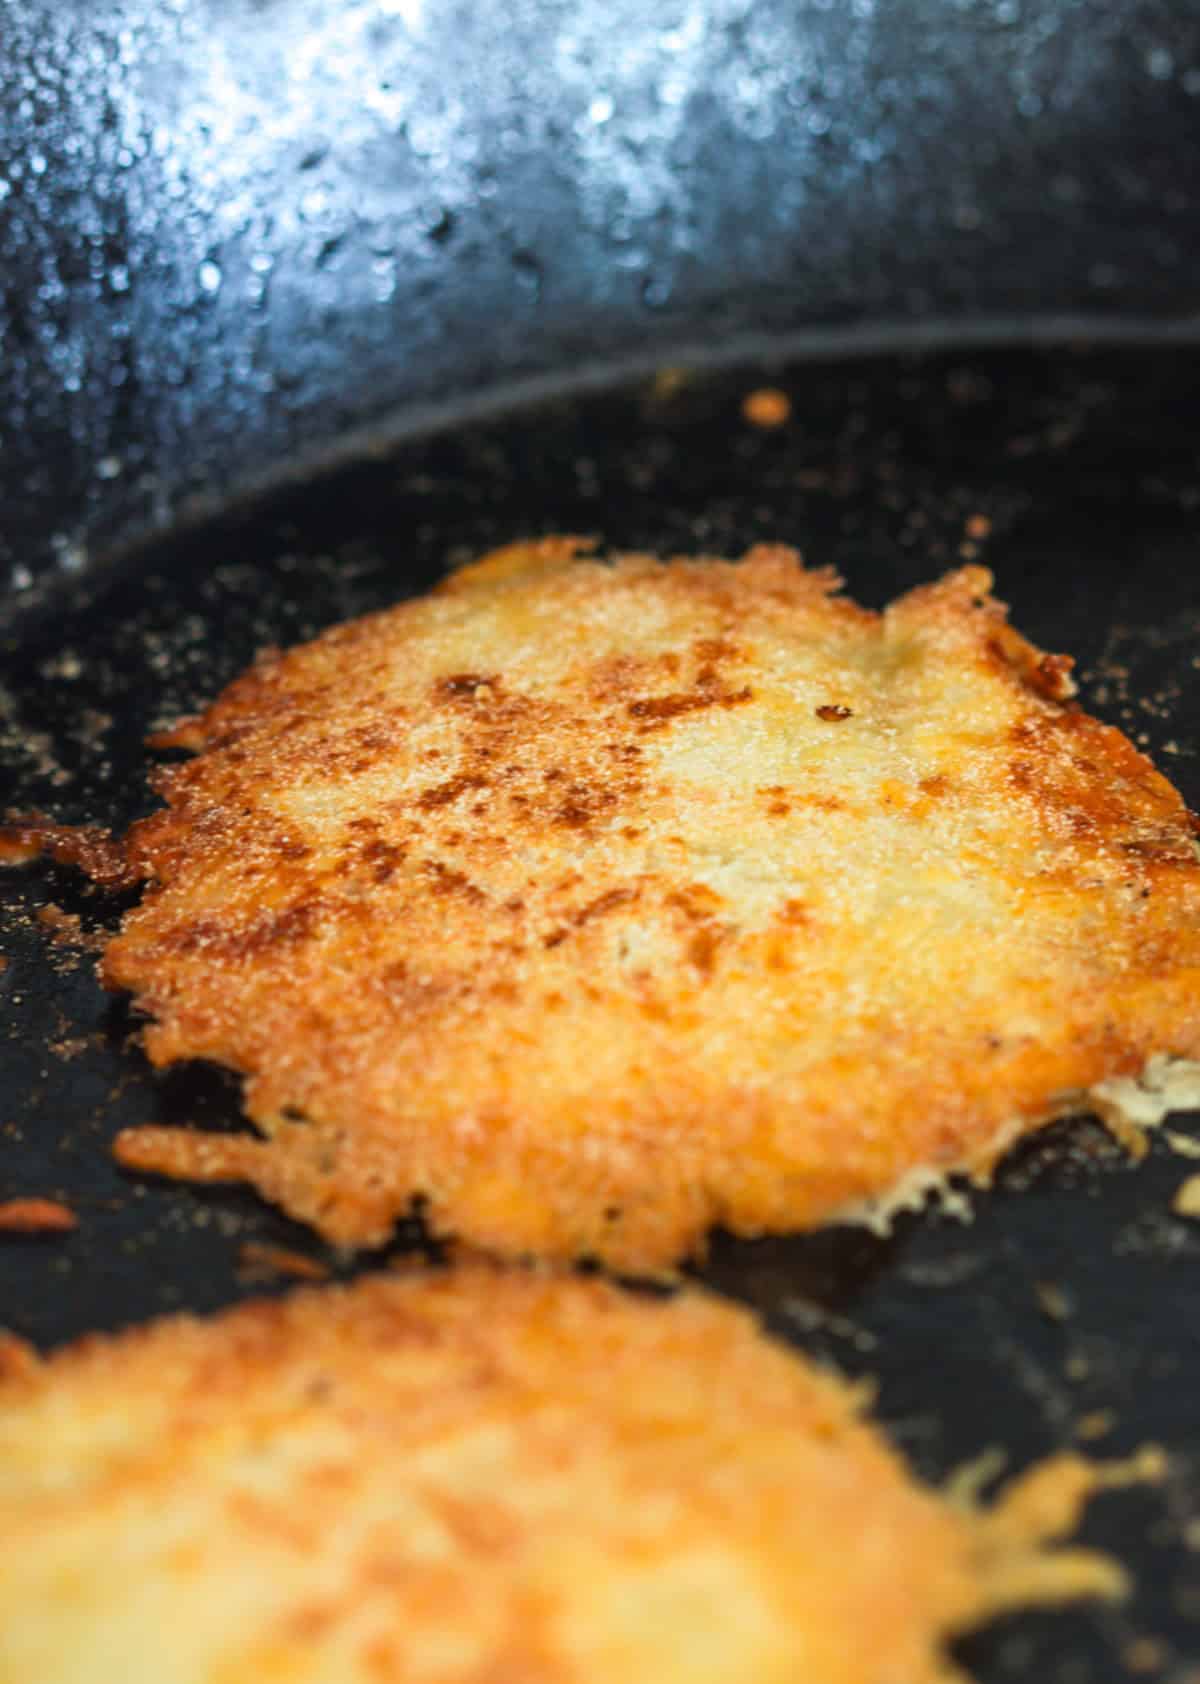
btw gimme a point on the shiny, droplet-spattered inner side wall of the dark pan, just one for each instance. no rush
(235, 232)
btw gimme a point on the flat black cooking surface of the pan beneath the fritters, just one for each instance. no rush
(1068, 1306)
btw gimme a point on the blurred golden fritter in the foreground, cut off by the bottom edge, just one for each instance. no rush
(474, 1478)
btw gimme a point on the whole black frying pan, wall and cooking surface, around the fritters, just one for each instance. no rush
(1031, 363)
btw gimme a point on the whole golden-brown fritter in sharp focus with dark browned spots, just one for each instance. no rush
(600, 903)
